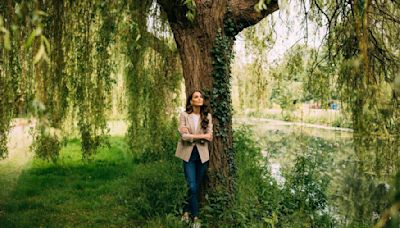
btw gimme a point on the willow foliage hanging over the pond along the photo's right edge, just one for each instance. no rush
(361, 47)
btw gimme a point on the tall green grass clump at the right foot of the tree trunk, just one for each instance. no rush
(257, 194)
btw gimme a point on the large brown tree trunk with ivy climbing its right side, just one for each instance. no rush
(204, 32)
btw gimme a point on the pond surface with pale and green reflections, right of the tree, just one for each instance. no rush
(360, 169)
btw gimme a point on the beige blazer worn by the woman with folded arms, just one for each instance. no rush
(186, 142)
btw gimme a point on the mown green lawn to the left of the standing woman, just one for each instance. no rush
(110, 190)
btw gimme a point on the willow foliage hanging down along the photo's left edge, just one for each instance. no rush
(21, 29)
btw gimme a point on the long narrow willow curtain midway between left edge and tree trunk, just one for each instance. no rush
(92, 29)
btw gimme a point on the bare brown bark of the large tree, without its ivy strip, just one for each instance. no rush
(195, 41)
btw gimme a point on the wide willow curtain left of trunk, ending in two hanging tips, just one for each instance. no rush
(85, 81)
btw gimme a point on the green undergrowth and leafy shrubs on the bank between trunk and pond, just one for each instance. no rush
(260, 202)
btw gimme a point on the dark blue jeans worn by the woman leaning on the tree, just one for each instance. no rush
(194, 173)
